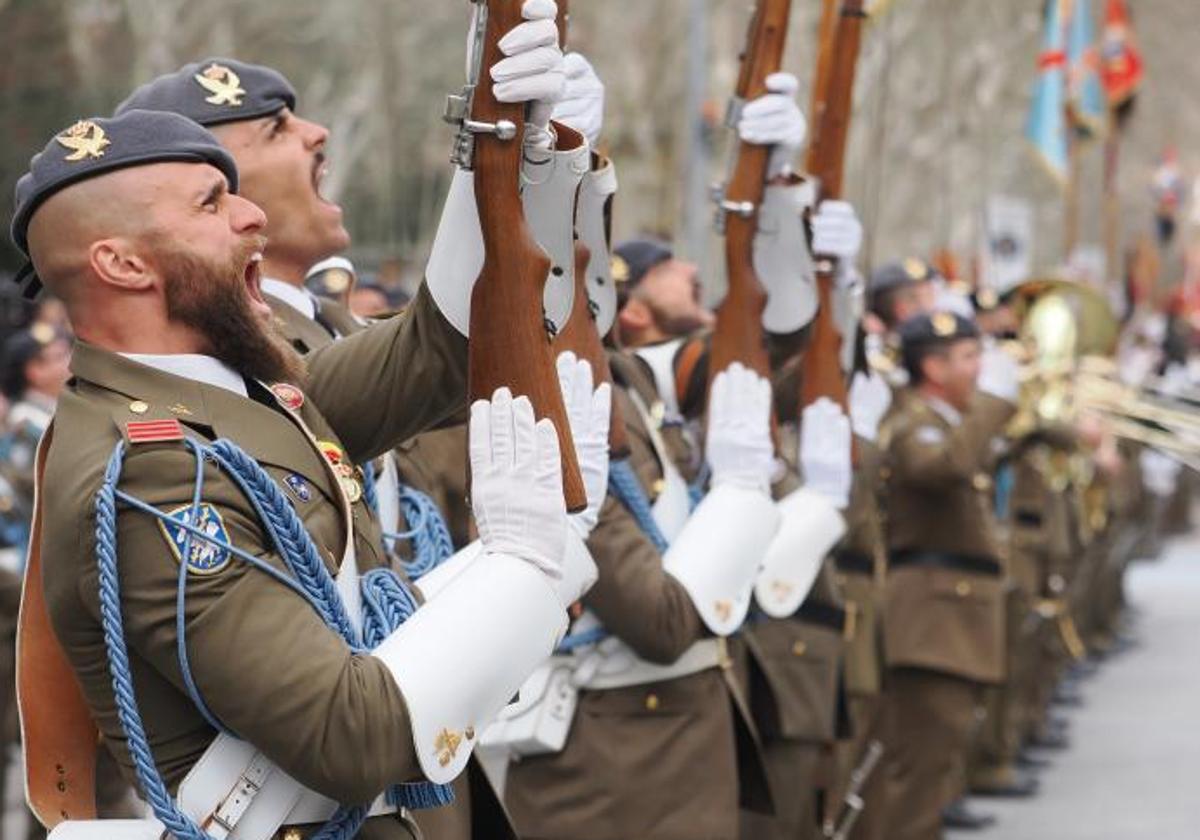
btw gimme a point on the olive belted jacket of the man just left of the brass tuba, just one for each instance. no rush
(945, 609)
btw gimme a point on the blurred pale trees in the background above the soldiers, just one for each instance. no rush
(943, 95)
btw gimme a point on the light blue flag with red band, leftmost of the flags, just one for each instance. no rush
(1047, 125)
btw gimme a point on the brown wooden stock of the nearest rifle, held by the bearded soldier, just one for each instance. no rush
(509, 345)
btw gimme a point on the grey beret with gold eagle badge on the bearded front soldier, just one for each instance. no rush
(100, 146)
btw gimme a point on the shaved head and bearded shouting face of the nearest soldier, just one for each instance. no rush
(161, 259)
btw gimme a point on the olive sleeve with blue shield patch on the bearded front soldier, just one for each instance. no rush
(263, 661)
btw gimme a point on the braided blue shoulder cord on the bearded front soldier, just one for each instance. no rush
(387, 605)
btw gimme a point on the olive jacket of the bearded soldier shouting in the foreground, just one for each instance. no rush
(266, 664)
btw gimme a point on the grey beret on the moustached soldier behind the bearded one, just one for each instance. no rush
(214, 92)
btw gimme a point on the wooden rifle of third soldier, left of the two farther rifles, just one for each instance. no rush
(739, 334)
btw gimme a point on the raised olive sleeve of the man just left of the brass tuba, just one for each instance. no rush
(925, 453)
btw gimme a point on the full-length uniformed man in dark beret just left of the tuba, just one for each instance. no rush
(944, 614)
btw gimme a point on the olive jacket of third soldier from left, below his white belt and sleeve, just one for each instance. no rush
(663, 761)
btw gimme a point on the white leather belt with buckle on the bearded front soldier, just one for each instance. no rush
(235, 793)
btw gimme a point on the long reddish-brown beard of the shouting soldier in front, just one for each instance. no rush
(212, 299)
